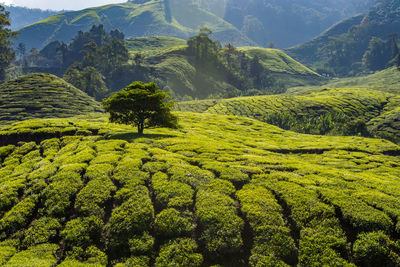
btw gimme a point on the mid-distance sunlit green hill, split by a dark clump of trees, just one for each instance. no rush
(178, 72)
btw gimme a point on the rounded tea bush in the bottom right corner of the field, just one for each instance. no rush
(376, 248)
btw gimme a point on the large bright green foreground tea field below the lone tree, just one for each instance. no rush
(221, 190)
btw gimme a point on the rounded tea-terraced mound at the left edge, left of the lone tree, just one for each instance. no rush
(42, 96)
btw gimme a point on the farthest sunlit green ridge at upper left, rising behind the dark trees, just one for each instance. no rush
(173, 18)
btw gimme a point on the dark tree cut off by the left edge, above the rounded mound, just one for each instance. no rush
(6, 35)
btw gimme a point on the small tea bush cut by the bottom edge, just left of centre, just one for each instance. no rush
(179, 252)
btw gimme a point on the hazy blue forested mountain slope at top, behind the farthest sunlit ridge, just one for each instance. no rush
(284, 22)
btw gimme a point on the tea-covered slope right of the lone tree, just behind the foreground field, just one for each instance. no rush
(333, 111)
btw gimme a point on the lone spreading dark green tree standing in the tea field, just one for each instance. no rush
(142, 105)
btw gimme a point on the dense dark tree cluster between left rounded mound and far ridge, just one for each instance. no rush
(91, 62)
